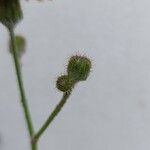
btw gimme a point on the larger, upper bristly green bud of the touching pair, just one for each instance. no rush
(79, 67)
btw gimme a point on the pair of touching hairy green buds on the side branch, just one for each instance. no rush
(78, 69)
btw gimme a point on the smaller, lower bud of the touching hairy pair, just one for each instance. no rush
(64, 83)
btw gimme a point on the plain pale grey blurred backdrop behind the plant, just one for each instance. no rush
(111, 111)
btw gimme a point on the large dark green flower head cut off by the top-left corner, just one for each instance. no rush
(10, 12)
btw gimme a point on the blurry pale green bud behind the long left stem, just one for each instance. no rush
(20, 45)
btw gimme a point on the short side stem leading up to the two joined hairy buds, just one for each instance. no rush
(51, 117)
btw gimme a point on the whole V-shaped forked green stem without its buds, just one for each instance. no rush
(33, 137)
